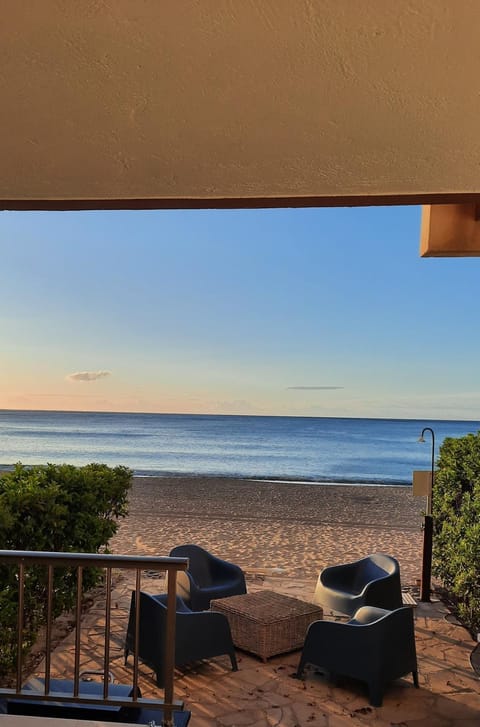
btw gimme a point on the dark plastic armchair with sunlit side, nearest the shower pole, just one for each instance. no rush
(371, 581)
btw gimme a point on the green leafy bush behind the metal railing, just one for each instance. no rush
(53, 508)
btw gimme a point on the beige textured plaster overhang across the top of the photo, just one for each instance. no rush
(177, 99)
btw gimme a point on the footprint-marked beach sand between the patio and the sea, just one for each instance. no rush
(270, 528)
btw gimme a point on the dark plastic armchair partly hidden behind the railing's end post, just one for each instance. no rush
(198, 635)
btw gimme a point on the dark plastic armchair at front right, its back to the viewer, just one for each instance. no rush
(376, 646)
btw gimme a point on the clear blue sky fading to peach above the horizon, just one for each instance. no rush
(315, 312)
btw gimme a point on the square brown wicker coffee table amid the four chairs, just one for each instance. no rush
(267, 623)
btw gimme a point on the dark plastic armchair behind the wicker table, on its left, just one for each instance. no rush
(207, 577)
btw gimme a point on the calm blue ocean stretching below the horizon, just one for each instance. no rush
(312, 449)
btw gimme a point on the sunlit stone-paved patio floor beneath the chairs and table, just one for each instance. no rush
(267, 695)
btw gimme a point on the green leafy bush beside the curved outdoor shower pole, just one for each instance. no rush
(456, 510)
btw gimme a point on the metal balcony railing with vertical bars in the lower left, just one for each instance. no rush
(79, 561)
